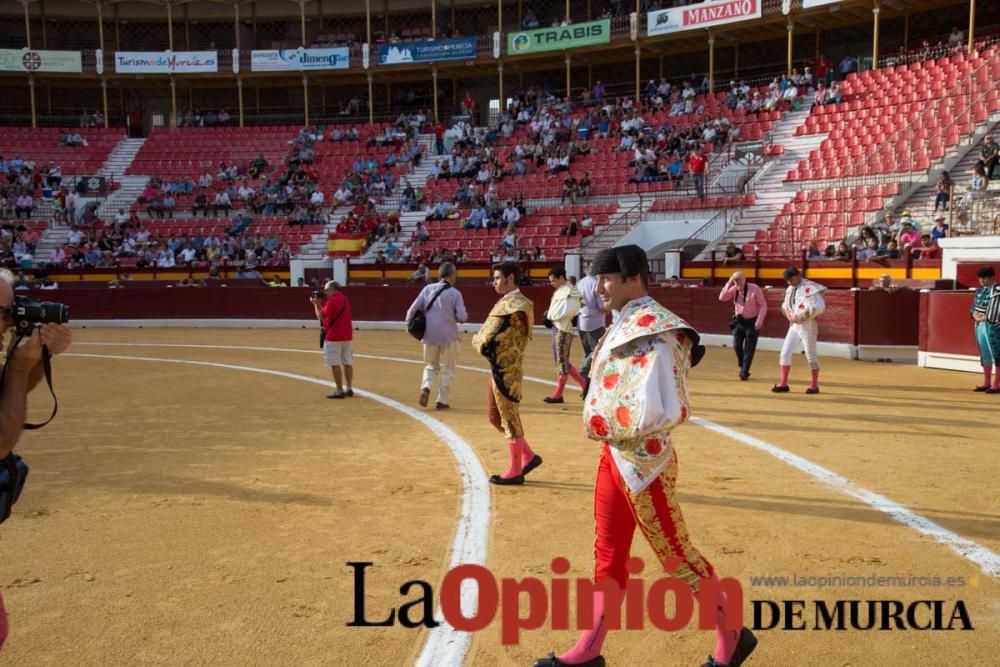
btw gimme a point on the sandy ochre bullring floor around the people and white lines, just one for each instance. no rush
(182, 514)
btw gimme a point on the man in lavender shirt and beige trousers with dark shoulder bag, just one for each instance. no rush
(443, 308)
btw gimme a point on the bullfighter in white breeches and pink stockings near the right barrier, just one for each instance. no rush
(802, 306)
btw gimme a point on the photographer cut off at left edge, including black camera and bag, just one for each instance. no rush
(22, 371)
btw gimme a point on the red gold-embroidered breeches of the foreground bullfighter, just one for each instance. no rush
(657, 514)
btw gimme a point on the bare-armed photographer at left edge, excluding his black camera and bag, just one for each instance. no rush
(22, 371)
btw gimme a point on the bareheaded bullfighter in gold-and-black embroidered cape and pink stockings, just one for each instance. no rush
(502, 340)
